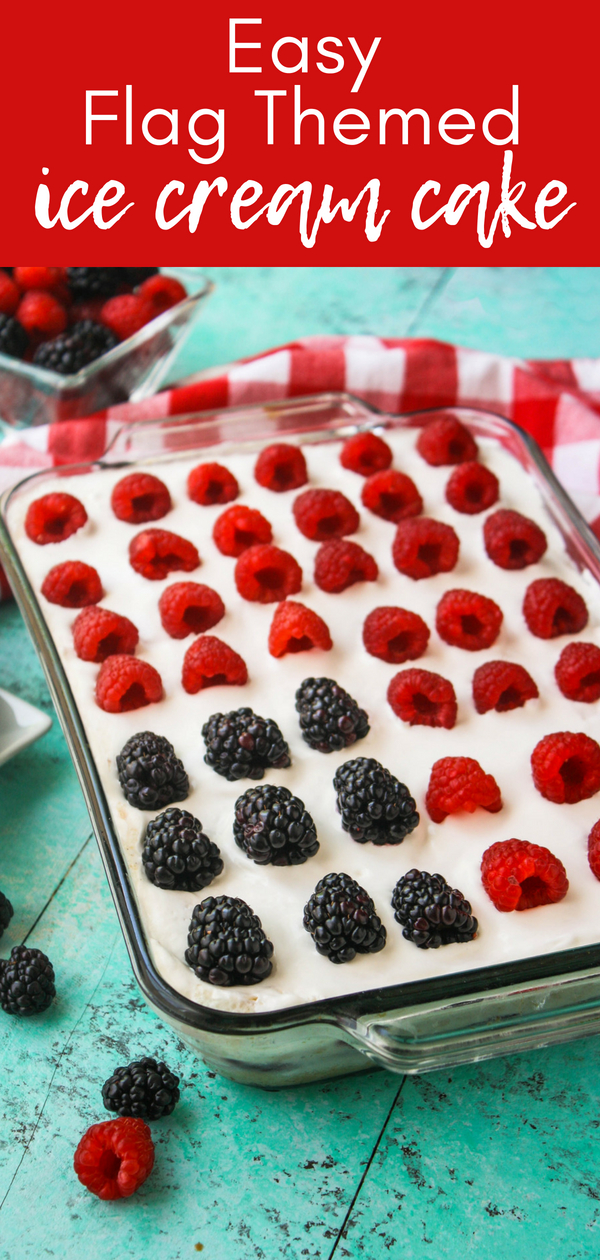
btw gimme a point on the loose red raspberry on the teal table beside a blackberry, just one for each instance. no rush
(115, 1157)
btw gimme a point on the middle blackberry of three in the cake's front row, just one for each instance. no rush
(342, 920)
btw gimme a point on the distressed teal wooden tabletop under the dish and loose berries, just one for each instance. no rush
(493, 1161)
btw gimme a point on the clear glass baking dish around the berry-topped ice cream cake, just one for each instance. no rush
(412, 1028)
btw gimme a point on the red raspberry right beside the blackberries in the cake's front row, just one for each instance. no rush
(520, 876)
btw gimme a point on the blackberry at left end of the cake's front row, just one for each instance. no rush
(226, 943)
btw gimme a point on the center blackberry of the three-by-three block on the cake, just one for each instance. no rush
(273, 827)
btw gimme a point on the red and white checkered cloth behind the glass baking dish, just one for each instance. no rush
(558, 403)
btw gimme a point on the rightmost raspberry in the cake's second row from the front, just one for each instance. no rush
(567, 768)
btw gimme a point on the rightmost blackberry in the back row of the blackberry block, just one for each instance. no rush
(330, 718)
